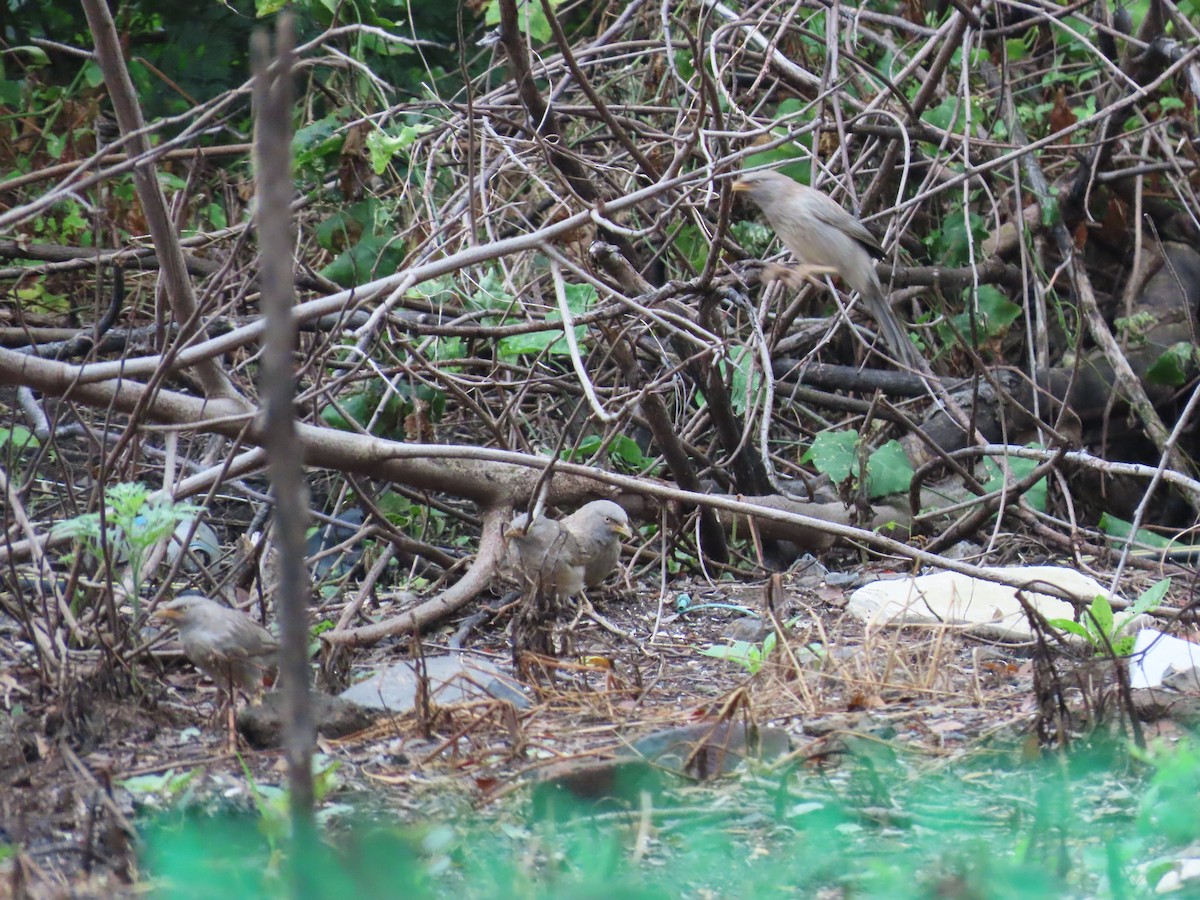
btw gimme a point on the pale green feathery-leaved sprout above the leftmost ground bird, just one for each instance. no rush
(135, 523)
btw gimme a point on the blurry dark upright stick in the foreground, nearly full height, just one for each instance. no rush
(273, 159)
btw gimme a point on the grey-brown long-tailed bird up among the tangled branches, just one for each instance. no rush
(827, 241)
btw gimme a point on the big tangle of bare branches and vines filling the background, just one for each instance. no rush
(539, 259)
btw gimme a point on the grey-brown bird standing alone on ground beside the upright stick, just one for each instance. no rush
(229, 646)
